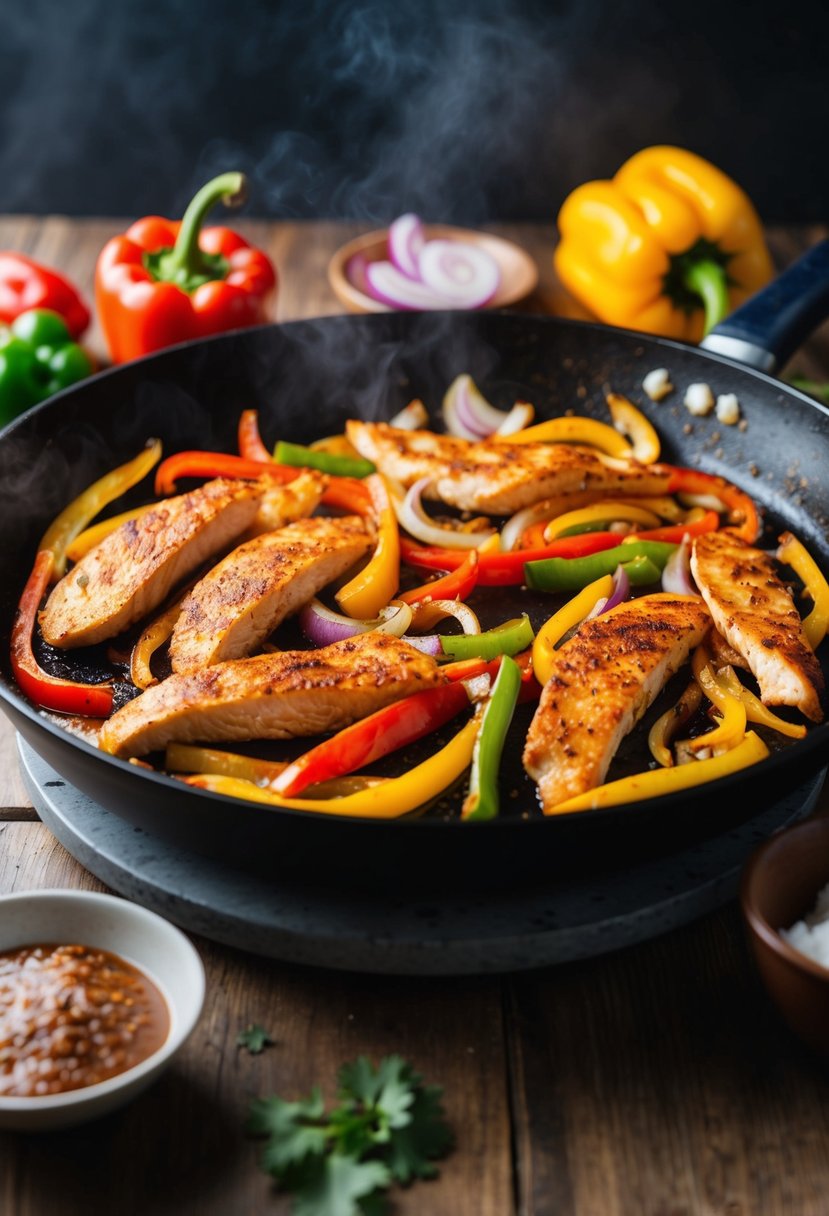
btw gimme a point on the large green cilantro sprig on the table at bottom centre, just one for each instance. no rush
(387, 1127)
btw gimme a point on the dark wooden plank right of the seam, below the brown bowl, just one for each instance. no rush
(661, 1080)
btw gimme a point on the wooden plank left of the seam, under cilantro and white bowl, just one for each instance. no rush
(181, 1149)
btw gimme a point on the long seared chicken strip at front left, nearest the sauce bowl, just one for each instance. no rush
(272, 696)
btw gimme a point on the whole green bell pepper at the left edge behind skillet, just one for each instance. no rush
(38, 358)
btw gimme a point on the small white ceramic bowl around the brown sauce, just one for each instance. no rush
(142, 938)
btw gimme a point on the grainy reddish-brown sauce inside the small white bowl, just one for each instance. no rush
(72, 1017)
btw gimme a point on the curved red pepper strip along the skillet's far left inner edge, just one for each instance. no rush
(49, 693)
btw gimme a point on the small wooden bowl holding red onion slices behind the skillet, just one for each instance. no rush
(520, 274)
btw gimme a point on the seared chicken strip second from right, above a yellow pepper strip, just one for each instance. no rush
(604, 682)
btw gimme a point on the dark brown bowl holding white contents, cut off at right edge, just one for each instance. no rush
(781, 886)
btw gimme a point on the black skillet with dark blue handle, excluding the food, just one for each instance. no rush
(306, 379)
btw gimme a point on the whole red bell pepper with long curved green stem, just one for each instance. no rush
(166, 282)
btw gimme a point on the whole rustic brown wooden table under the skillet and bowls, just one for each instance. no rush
(657, 1082)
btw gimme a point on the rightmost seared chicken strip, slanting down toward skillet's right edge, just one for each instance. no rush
(753, 610)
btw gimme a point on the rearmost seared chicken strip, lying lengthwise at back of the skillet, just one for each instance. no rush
(498, 478)
